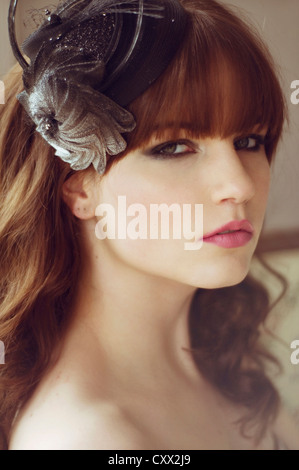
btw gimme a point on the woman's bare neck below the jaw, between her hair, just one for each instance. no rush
(137, 322)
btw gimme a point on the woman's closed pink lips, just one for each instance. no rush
(240, 232)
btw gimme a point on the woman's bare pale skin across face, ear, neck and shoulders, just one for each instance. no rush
(123, 379)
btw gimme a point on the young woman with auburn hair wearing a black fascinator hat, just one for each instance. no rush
(123, 343)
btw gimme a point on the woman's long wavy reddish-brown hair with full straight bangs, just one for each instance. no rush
(221, 82)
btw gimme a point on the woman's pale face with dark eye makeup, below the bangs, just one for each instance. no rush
(228, 177)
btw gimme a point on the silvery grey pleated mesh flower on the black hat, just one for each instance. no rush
(82, 124)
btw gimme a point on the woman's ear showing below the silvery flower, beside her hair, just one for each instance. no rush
(78, 194)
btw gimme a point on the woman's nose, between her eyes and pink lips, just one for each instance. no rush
(232, 180)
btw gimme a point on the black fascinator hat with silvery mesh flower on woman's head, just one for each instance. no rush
(88, 60)
